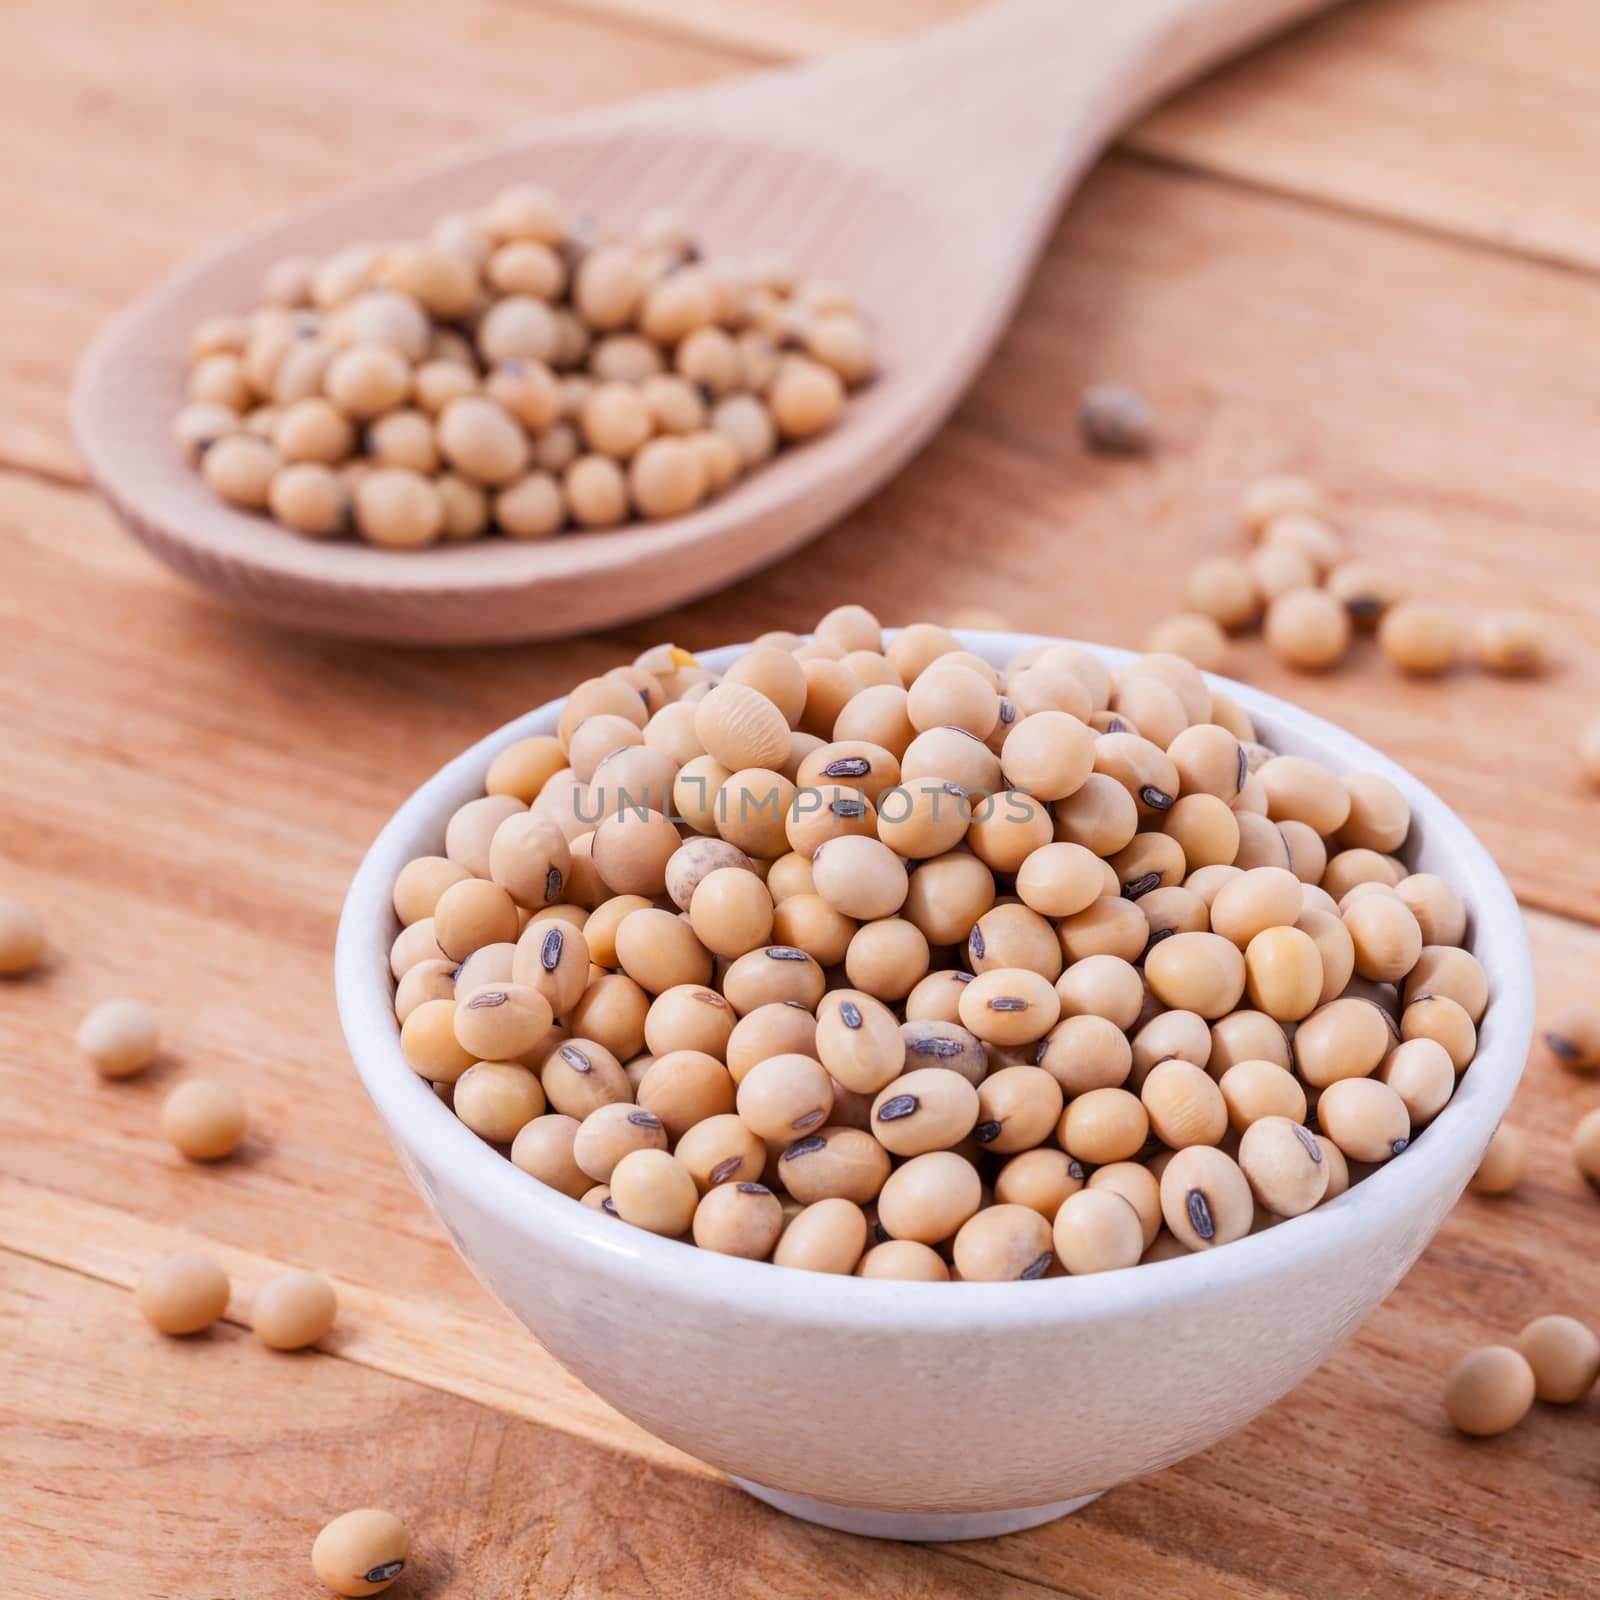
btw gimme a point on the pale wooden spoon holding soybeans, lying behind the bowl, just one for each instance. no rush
(922, 175)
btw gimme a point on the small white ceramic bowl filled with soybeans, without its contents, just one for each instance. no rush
(919, 1410)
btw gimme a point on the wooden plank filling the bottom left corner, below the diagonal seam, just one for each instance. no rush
(204, 1468)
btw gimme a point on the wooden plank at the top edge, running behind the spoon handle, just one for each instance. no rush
(1444, 114)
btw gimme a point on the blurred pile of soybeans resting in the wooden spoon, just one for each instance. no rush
(514, 372)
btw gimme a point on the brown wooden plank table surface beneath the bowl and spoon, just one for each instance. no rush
(1367, 254)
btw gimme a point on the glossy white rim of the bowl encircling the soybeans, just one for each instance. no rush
(414, 1113)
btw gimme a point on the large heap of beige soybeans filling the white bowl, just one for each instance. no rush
(868, 958)
